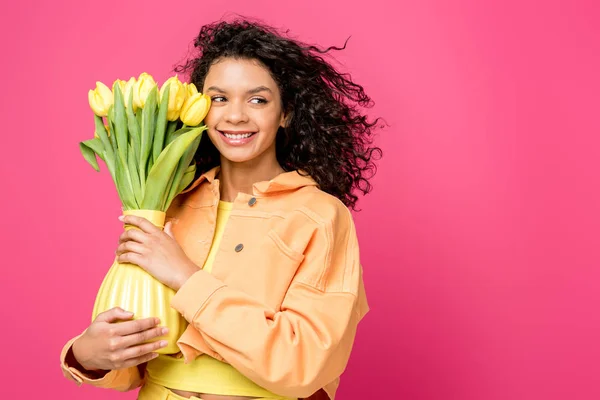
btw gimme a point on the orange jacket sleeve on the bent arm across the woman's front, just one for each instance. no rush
(298, 349)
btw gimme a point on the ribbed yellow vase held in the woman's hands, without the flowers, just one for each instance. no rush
(133, 289)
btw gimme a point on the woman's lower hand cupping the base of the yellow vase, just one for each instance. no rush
(115, 341)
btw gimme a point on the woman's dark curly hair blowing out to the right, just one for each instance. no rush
(327, 136)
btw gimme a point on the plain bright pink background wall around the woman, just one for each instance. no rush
(480, 242)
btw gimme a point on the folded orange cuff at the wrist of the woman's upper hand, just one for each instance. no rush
(194, 293)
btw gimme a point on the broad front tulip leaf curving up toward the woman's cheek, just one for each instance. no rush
(167, 162)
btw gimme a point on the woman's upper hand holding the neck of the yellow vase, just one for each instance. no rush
(156, 251)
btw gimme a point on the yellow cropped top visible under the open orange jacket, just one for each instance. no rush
(206, 374)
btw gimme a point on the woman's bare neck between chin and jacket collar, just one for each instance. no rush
(239, 177)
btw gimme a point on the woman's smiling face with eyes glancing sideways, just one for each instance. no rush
(245, 113)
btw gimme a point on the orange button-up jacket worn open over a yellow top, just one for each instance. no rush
(285, 294)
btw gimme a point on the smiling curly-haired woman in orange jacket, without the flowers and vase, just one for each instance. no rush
(261, 248)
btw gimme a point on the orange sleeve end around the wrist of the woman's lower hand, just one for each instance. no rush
(121, 380)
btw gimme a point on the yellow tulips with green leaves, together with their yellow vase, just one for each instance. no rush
(147, 138)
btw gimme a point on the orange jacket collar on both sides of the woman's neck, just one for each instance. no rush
(286, 181)
